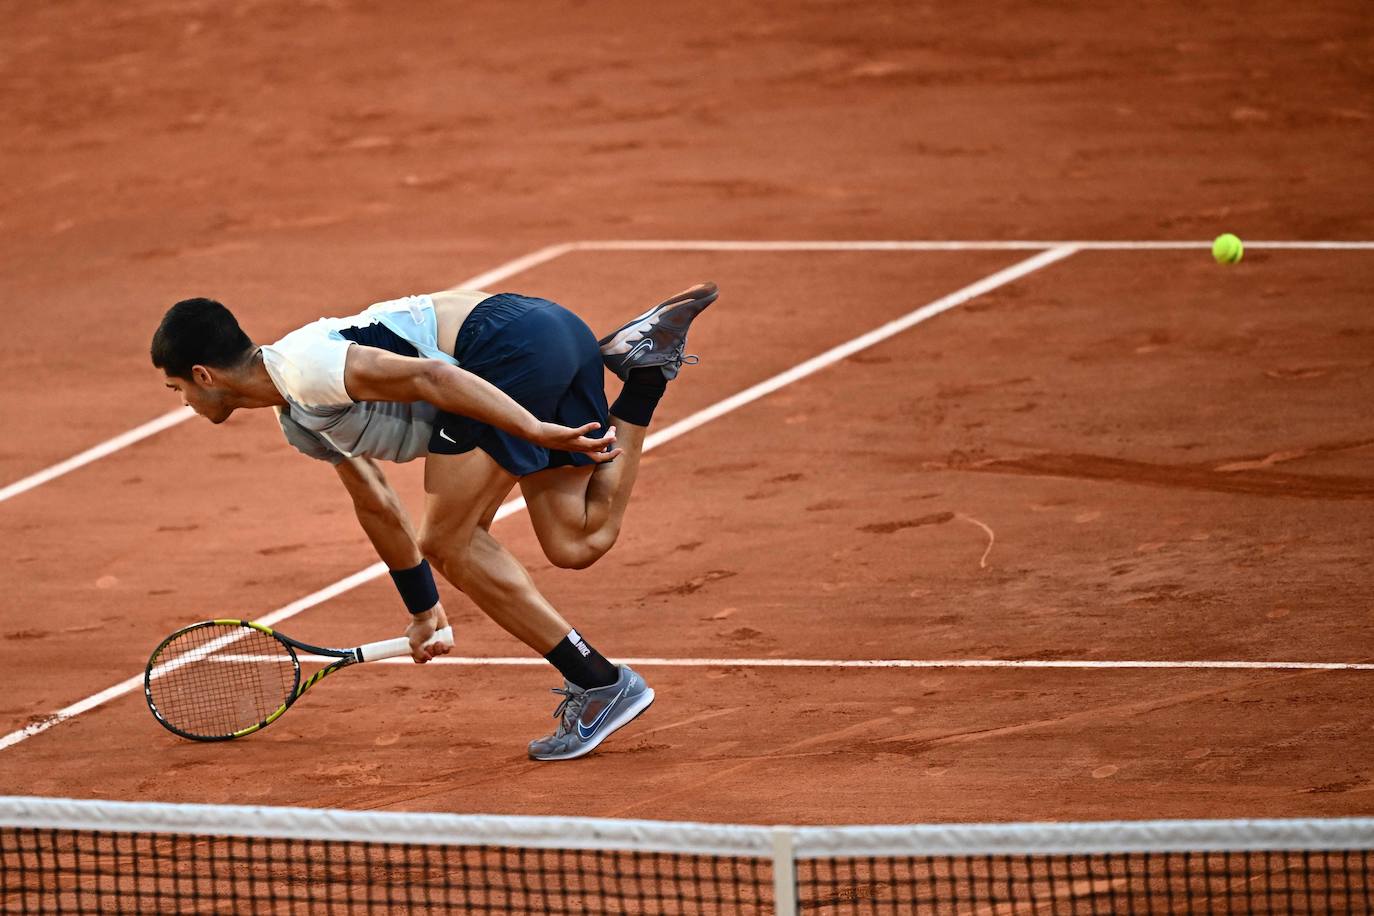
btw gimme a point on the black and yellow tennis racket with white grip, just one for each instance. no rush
(218, 680)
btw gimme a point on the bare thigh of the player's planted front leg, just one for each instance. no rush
(462, 494)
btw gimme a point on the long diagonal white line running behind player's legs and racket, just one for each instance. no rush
(754, 393)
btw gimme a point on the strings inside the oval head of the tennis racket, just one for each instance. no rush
(214, 682)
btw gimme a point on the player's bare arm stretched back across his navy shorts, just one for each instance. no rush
(372, 374)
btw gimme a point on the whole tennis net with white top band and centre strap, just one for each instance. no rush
(101, 858)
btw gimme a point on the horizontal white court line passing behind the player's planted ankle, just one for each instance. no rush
(864, 663)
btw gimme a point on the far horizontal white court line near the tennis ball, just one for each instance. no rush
(829, 245)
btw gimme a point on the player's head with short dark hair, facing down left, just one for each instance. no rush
(200, 347)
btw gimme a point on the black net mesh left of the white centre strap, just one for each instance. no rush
(112, 873)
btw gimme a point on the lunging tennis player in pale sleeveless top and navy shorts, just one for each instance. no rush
(493, 391)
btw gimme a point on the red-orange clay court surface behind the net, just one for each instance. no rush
(1085, 538)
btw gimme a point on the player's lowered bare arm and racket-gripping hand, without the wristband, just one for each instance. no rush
(387, 524)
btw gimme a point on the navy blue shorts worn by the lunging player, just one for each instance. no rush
(546, 359)
